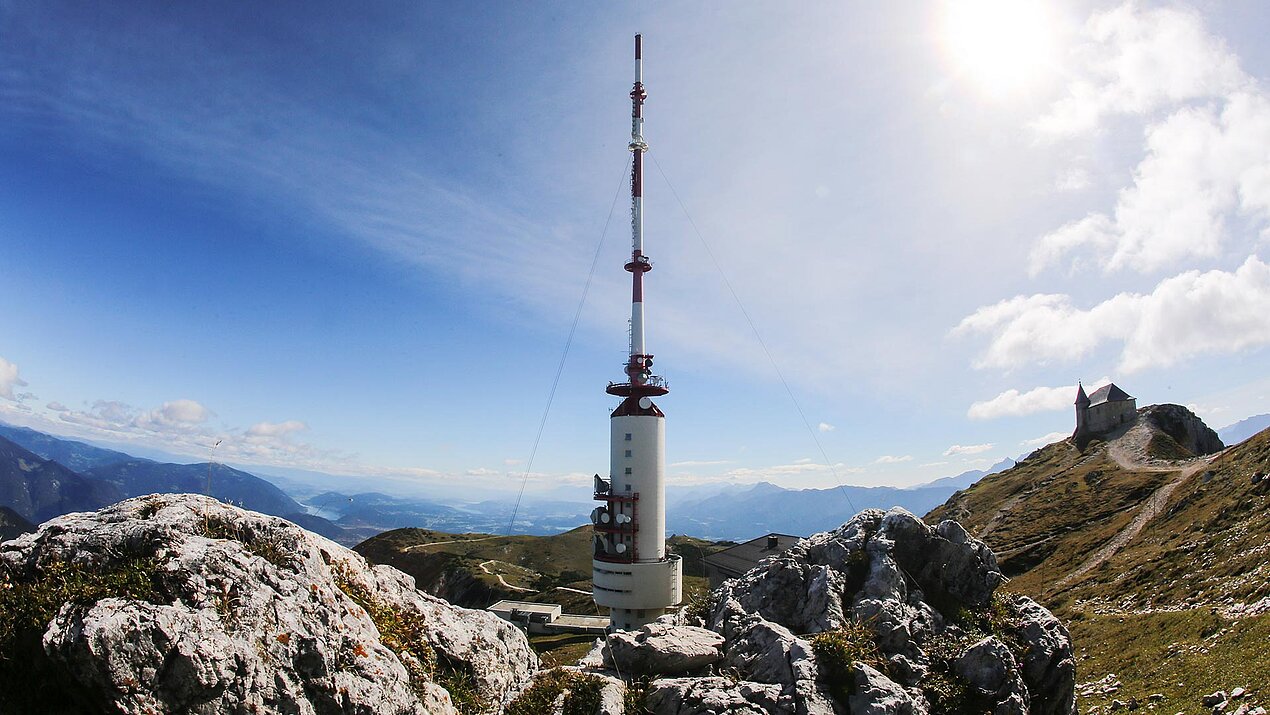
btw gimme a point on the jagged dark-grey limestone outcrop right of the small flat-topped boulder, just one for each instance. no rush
(912, 585)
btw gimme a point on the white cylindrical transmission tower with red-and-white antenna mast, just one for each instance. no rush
(632, 573)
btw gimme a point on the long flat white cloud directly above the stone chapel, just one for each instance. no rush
(1187, 316)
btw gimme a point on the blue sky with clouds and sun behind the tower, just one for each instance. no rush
(354, 239)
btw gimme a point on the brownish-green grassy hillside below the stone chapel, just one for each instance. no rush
(1161, 613)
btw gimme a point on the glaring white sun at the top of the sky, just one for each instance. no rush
(1001, 46)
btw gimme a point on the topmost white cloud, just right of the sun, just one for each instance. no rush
(1136, 62)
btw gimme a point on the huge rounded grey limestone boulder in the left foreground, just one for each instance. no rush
(180, 604)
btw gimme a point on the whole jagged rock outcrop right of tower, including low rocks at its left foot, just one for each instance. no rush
(885, 615)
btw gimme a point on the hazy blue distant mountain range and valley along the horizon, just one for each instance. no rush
(92, 477)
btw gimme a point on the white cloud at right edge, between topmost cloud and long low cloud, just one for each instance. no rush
(1202, 167)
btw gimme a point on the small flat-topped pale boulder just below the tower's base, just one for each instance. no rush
(660, 648)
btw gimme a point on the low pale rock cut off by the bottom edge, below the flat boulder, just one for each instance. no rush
(714, 695)
